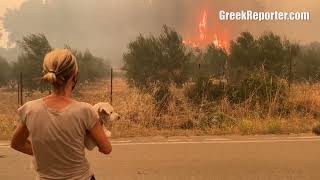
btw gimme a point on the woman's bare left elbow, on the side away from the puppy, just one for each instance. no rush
(20, 140)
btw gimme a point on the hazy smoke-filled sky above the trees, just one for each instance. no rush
(107, 26)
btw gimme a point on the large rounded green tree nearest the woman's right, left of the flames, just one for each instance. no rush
(152, 60)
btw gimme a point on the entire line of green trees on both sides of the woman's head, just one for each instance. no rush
(165, 59)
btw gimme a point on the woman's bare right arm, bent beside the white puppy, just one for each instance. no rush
(101, 139)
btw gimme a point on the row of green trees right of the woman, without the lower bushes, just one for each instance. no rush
(165, 58)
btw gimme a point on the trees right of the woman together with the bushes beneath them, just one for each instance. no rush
(262, 66)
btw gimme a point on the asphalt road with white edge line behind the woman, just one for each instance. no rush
(193, 158)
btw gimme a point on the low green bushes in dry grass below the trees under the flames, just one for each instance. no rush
(258, 89)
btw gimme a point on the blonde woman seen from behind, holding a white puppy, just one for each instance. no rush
(56, 125)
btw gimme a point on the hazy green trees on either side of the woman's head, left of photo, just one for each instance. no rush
(33, 48)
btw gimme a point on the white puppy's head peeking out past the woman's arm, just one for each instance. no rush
(106, 112)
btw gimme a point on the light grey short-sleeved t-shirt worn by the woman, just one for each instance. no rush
(57, 138)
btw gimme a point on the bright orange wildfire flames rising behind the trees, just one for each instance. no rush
(205, 37)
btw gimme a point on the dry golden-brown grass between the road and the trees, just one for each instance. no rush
(140, 117)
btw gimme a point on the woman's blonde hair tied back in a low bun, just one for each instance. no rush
(58, 66)
